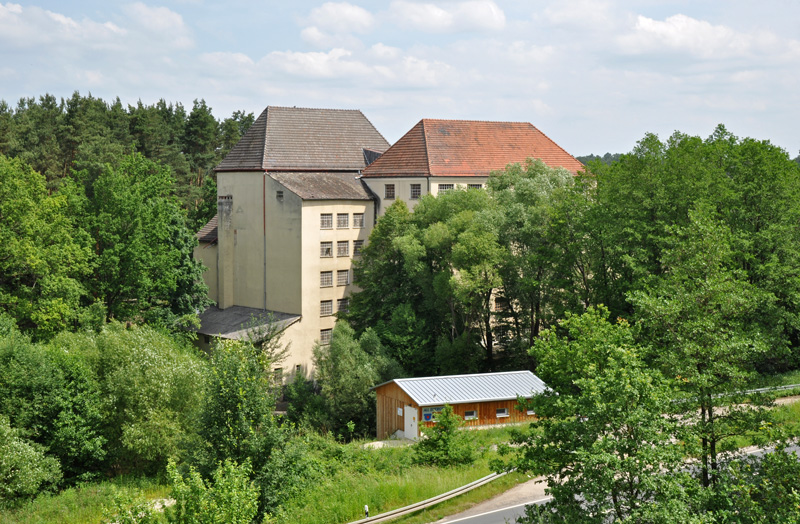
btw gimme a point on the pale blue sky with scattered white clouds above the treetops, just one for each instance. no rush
(593, 75)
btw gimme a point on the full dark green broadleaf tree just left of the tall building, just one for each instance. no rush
(144, 267)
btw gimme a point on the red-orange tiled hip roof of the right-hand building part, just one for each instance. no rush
(467, 148)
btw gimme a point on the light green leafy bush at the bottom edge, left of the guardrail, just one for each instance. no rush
(230, 498)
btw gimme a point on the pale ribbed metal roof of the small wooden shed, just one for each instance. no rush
(462, 389)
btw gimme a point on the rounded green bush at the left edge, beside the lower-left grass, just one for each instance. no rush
(25, 471)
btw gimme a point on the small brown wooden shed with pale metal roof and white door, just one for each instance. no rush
(481, 400)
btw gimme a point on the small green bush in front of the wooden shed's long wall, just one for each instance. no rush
(444, 445)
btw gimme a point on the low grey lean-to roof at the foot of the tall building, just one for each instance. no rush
(234, 322)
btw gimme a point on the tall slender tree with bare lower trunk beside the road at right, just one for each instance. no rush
(702, 323)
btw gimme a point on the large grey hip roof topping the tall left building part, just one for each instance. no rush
(293, 138)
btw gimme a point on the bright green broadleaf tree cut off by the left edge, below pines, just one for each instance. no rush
(43, 256)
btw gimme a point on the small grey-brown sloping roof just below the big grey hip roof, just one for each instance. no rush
(324, 186)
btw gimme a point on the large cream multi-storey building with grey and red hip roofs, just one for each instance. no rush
(299, 195)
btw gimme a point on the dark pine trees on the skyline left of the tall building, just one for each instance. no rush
(83, 133)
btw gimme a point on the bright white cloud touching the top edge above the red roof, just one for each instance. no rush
(472, 15)
